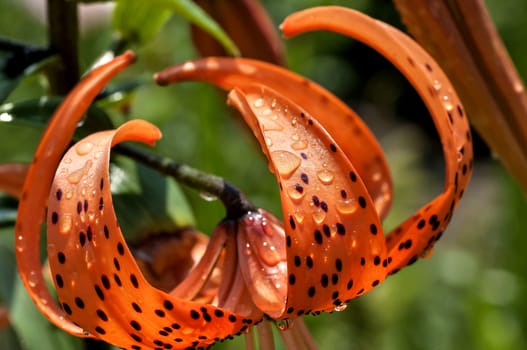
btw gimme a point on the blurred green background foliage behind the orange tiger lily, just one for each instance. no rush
(468, 295)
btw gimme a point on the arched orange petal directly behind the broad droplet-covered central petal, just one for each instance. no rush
(345, 126)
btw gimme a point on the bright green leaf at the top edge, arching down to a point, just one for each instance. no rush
(140, 20)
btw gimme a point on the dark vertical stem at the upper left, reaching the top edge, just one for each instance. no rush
(63, 32)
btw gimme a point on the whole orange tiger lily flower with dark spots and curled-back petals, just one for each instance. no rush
(335, 190)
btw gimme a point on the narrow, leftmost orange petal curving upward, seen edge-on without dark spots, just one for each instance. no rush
(36, 188)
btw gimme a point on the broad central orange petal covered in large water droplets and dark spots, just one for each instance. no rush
(334, 239)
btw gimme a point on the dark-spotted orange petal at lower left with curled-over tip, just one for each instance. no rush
(98, 282)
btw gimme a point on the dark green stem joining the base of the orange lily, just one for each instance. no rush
(235, 202)
